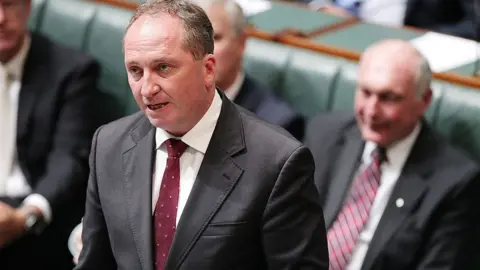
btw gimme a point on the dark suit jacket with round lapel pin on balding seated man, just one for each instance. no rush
(437, 228)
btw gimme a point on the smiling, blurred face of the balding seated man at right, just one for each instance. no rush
(386, 103)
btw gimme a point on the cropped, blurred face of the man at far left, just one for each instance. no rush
(13, 26)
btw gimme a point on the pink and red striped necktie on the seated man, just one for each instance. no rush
(343, 235)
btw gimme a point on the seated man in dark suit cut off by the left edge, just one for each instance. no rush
(47, 120)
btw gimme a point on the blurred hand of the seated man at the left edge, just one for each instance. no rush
(12, 223)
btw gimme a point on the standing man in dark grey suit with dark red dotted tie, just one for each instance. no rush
(193, 181)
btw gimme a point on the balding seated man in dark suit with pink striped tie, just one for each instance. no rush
(396, 195)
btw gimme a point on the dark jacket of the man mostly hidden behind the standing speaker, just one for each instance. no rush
(265, 105)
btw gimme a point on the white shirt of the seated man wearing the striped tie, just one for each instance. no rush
(397, 155)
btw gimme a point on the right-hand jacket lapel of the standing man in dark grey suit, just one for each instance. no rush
(215, 180)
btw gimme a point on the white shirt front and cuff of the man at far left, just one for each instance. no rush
(16, 185)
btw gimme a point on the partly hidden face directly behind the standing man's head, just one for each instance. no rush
(229, 46)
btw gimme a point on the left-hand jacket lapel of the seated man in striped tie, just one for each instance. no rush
(345, 168)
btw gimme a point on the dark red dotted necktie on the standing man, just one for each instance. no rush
(165, 214)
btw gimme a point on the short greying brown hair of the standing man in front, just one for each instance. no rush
(198, 30)
